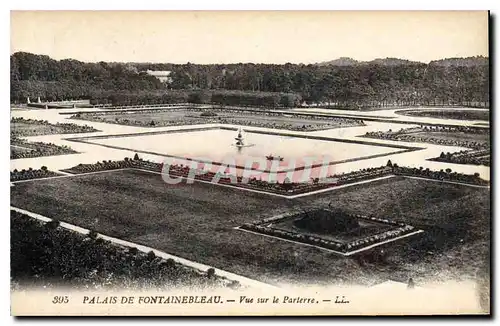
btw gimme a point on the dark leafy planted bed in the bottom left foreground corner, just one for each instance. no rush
(40, 251)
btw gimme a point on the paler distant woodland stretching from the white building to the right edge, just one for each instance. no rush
(460, 81)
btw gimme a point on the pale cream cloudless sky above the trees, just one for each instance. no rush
(279, 37)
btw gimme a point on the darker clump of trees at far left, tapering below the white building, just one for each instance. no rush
(40, 76)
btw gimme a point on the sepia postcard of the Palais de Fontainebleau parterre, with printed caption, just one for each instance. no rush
(249, 163)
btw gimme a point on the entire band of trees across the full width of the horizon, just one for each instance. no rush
(462, 81)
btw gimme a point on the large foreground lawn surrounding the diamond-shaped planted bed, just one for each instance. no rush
(197, 222)
